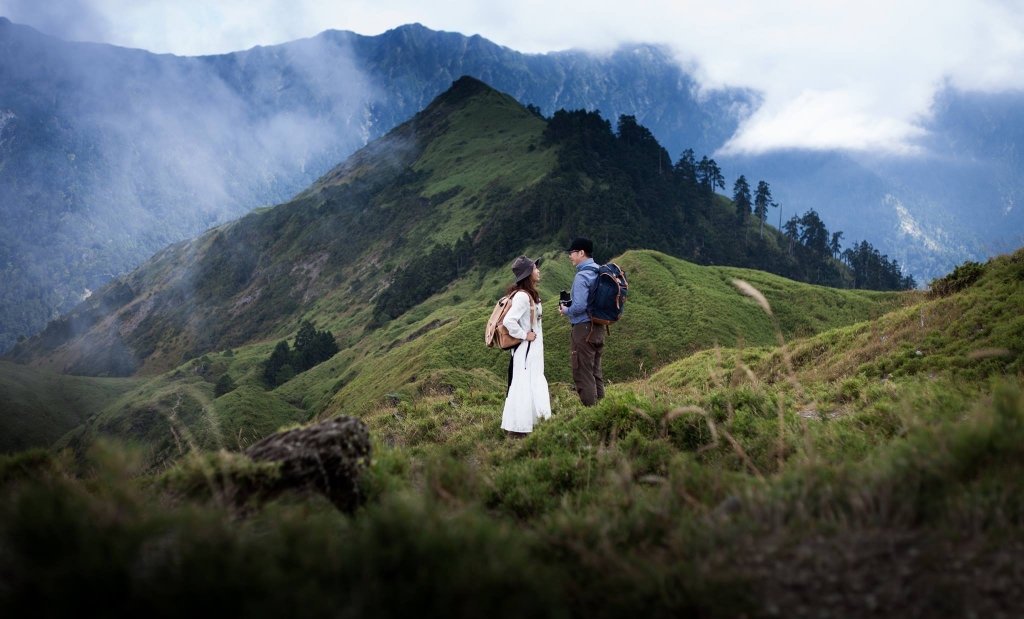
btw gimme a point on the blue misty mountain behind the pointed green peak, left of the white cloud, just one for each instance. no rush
(111, 154)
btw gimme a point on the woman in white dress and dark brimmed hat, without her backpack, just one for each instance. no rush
(528, 400)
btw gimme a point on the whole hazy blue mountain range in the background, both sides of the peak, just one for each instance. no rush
(108, 155)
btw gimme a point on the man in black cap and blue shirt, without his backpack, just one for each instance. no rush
(587, 343)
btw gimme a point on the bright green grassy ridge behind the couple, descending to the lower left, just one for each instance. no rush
(674, 310)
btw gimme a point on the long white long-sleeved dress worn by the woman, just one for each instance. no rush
(528, 401)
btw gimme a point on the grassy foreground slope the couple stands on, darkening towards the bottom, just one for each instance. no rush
(872, 470)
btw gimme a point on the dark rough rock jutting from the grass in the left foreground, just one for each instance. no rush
(328, 458)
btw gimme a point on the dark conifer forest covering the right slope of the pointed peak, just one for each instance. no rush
(622, 189)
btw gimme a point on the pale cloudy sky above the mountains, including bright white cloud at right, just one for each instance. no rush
(834, 73)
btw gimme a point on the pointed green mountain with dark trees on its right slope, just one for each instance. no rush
(441, 196)
